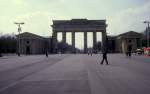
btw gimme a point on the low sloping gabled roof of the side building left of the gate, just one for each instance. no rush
(30, 35)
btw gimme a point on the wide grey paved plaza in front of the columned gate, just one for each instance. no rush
(74, 74)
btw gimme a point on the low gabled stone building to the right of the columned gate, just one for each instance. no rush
(123, 41)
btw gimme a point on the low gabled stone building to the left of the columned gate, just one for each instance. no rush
(33, 44)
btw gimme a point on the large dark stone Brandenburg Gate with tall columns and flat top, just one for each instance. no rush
(79, 25)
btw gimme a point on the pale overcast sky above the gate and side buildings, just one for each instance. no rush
(121, 15)
